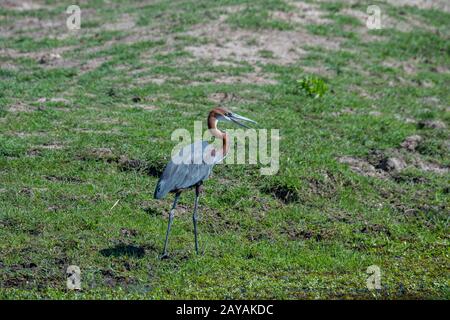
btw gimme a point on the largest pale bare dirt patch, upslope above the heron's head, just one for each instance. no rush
(232, 45)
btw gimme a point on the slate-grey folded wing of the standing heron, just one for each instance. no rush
(184, 174)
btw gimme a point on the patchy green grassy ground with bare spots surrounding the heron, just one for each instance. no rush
(86, 118)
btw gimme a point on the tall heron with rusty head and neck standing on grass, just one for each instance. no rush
(193, 164)
